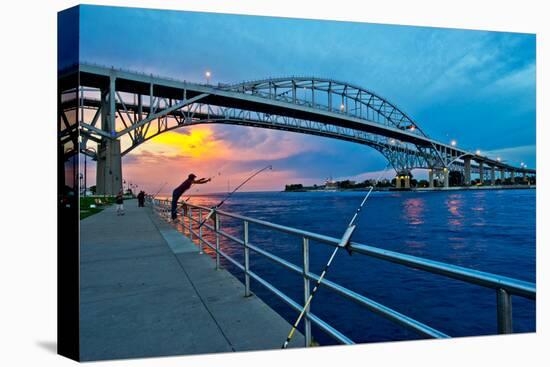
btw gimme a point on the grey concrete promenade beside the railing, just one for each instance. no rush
(146, 291)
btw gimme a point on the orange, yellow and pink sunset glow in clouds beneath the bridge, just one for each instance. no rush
(204, 150)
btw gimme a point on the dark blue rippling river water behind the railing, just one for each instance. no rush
(486, 230)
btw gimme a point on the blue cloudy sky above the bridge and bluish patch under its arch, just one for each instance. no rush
(476, 87)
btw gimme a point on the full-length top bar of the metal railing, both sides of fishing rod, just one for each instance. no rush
(489, 280)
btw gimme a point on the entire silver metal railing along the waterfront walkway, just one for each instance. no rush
(504, 287)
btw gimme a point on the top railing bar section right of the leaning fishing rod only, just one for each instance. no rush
(514, 286)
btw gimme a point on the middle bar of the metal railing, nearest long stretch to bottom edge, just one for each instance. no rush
(373, 306)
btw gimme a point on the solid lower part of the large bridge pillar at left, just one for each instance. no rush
(109, 168)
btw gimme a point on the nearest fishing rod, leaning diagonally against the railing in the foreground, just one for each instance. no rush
(344, 243)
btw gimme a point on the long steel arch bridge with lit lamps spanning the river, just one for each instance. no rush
(114, 105)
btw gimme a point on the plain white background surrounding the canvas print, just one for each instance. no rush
(27, 151)
